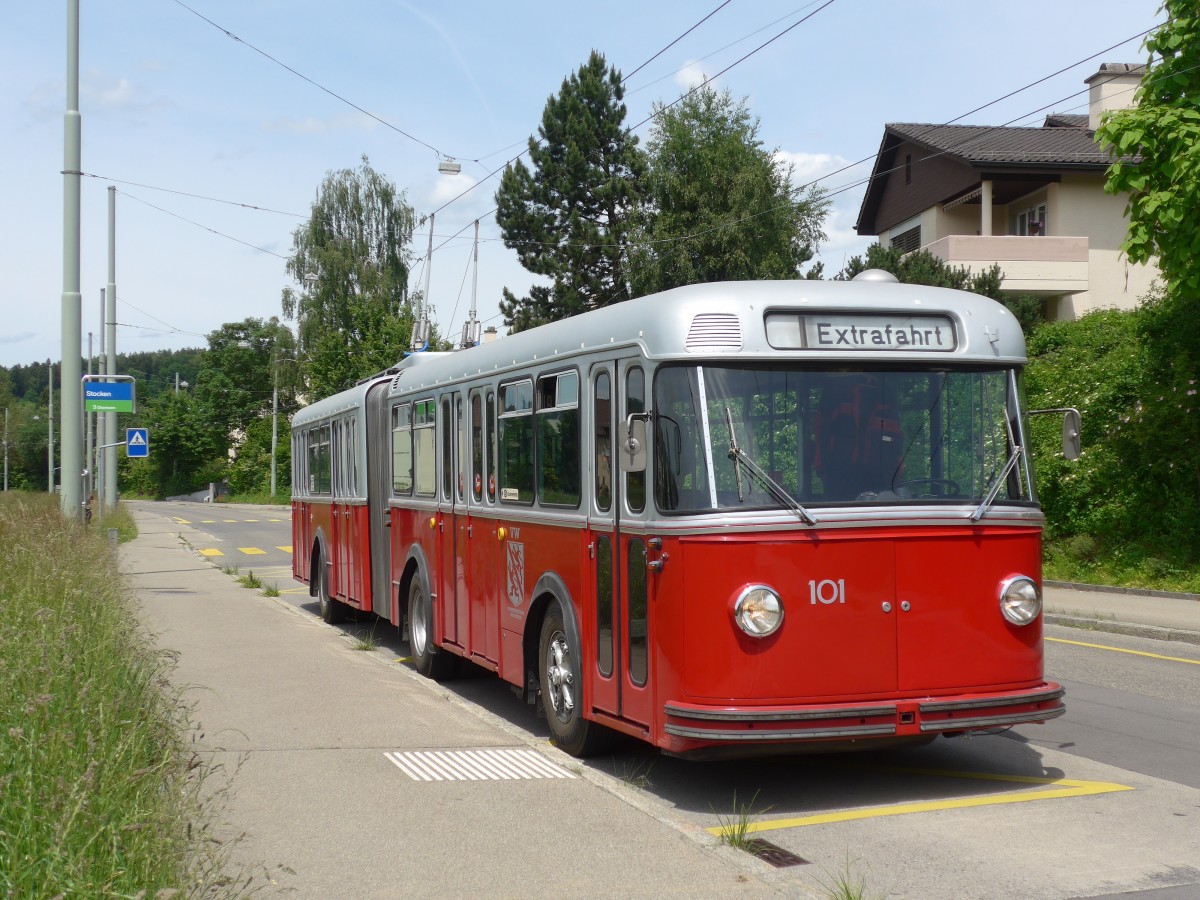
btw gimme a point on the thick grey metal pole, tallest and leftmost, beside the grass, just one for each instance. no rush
(73, 376)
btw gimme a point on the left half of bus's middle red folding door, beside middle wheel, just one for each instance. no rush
(453, 529)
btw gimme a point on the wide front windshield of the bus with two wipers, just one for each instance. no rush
(836, 437)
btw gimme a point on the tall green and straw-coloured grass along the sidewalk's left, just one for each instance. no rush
(99, 794)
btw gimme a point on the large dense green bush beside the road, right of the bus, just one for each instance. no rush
(1131, 505)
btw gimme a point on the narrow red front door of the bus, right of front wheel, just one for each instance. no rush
(621, 673)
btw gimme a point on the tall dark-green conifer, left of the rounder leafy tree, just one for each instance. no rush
(569, 217)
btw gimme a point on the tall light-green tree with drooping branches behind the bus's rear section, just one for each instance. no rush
(351, 261)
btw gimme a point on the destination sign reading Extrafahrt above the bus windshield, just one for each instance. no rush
(871, 333)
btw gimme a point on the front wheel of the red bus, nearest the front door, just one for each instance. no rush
(562, 692)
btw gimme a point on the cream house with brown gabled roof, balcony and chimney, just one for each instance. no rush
(1030, 200)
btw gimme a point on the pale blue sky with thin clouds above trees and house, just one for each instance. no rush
(170, 101)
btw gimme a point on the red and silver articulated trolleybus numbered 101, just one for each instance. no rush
(731, 517)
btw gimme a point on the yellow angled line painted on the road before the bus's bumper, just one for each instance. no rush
(1059, 788)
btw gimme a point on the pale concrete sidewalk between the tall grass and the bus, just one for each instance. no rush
(314, 739)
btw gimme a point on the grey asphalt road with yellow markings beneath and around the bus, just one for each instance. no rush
(1105, 801)
